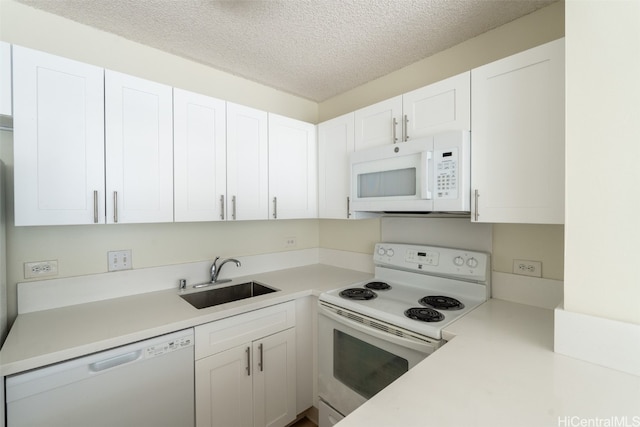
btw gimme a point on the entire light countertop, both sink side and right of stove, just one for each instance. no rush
(498, 368)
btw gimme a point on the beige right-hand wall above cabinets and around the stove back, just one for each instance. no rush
(510, 241)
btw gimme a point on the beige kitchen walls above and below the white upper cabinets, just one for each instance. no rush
(82, 249)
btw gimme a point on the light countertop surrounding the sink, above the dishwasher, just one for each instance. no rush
(50, 336)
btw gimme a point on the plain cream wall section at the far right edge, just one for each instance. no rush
(602, 275)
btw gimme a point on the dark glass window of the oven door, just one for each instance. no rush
(364, 368)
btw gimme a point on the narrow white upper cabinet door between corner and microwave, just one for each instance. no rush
(335, 143)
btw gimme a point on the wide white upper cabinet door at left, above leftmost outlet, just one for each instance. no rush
(58, 140)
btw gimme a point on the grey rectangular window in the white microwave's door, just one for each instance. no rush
(399, 182)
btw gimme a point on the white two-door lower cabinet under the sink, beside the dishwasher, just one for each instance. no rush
(252, 383)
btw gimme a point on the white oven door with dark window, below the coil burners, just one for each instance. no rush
(356, 361)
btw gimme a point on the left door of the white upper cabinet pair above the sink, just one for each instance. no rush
(199, 157)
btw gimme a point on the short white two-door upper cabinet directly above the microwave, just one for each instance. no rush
(439, 107)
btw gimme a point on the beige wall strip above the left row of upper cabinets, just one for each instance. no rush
(39, 30)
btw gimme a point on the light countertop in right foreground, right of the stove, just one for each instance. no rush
(499, 369)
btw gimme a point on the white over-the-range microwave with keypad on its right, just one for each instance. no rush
(430, 174)
